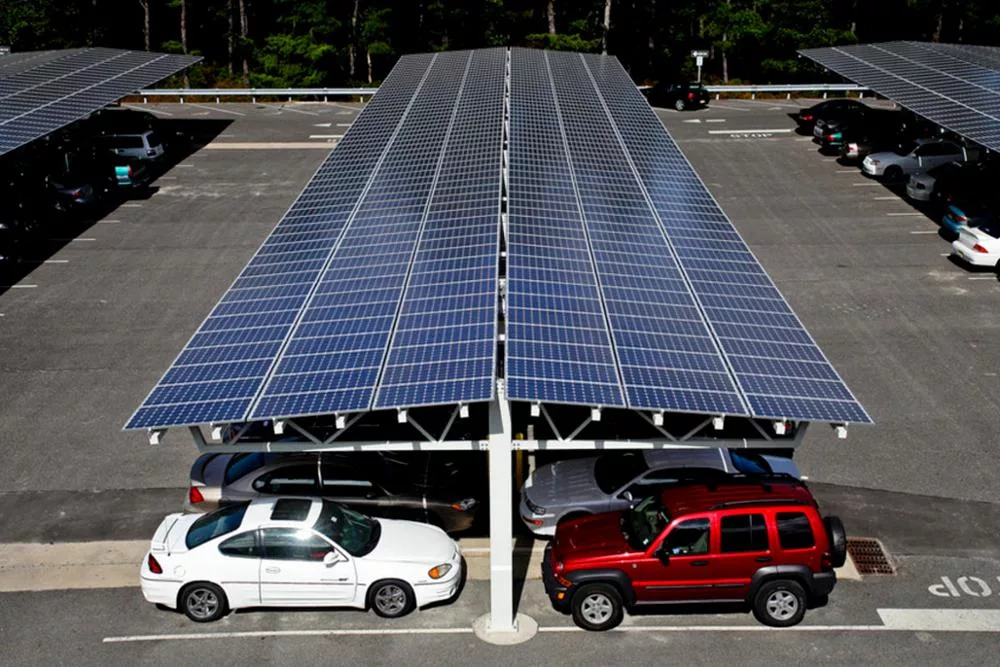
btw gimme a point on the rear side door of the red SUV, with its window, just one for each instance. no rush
(744, 548)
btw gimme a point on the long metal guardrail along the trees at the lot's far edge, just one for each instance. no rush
(325, 93)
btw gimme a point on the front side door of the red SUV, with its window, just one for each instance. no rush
(678, 567)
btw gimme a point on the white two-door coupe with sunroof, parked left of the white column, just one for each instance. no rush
(297, 552)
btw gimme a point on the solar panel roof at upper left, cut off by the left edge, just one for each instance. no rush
(41, 93)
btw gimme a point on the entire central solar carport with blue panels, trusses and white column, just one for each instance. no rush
(506, 251)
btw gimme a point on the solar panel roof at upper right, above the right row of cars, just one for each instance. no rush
(953, 85)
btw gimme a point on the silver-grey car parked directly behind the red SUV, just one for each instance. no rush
(566, 490)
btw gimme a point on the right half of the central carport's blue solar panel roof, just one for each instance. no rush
(696, 324)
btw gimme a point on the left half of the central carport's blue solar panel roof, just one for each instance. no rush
(357, 290)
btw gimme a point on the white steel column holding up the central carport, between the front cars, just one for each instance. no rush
(501, 524)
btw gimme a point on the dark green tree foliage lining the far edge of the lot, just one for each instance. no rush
(310, 42)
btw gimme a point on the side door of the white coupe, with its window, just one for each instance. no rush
(295, 569)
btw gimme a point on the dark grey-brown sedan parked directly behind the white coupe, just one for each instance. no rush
(362, 482)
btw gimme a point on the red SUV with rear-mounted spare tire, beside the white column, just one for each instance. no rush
(757, 541)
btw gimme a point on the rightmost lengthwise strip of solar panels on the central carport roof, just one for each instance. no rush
(778, 368)
